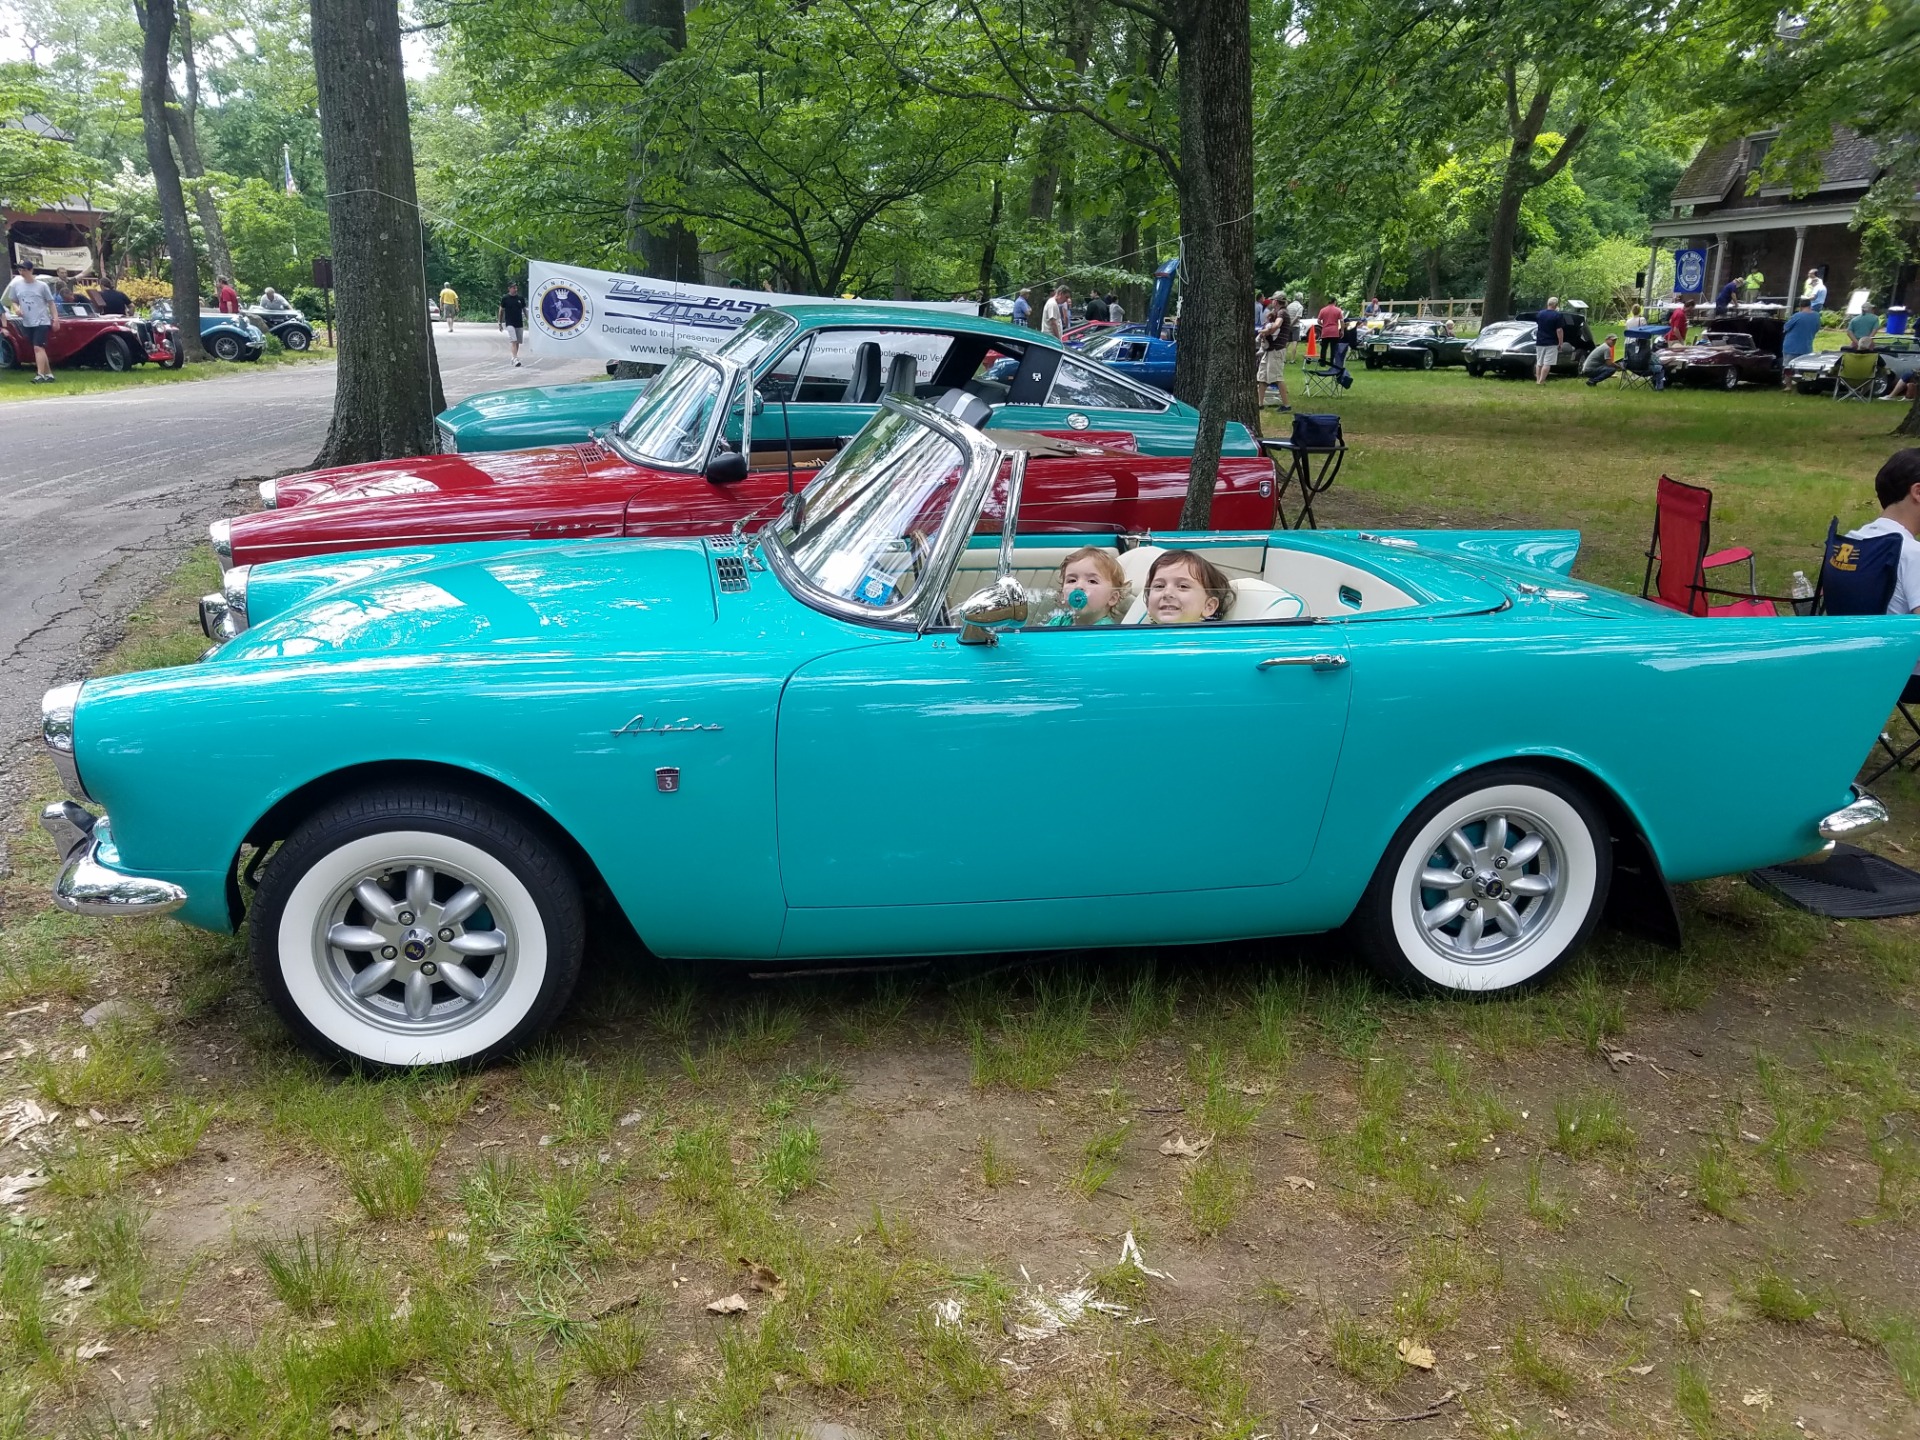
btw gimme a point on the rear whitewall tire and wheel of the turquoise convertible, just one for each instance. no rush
(1487, 886)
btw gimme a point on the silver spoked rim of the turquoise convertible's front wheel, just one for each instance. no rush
(418, 948)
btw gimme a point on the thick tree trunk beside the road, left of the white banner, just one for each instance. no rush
(389, 385)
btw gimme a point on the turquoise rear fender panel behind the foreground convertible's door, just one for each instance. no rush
(1727, 740)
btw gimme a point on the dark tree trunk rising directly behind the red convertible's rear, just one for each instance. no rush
(1216, 187)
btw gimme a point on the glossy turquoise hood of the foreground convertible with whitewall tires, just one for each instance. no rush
(610, 598)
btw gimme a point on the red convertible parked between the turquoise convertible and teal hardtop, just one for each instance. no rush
(690, 462)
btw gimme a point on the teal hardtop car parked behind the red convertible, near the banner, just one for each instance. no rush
(825, 368)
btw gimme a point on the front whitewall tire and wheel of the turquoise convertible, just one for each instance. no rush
(416, 928)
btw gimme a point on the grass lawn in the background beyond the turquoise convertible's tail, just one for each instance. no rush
(1443, 448)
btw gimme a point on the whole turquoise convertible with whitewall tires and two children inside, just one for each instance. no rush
(848, 734)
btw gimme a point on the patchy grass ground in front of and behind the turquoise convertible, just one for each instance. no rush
(1226, 1191)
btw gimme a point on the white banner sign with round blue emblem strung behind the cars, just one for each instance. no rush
(585, 314)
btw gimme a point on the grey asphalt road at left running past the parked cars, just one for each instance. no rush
(101, 494)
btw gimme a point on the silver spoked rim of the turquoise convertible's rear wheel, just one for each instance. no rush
(1489, 888)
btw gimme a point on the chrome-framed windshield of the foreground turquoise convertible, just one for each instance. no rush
(869, 527)
